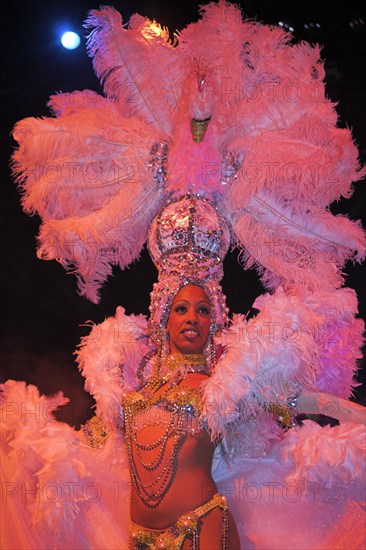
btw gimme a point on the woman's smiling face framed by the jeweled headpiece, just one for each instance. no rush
(189, 321)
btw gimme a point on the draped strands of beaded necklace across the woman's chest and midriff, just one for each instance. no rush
(174, 370)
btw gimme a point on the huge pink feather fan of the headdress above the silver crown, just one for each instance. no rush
(230, 111)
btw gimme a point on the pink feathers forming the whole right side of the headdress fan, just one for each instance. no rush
(295, 163)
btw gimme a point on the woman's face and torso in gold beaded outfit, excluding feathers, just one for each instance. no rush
(181, 447)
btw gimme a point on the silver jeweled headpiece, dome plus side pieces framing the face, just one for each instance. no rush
(188, 241)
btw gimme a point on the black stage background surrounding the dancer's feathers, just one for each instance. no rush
(42, 315)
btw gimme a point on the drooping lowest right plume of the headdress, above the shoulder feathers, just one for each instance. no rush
(308, 248)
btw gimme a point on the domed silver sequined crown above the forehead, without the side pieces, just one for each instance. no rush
(189, 238)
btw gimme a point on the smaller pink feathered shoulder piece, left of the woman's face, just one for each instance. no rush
(108, 359)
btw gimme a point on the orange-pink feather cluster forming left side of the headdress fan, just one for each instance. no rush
(86, 174)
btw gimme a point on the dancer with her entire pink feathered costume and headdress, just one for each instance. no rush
(192, 168)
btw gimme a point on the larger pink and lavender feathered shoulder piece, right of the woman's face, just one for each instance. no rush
(294, 344)
